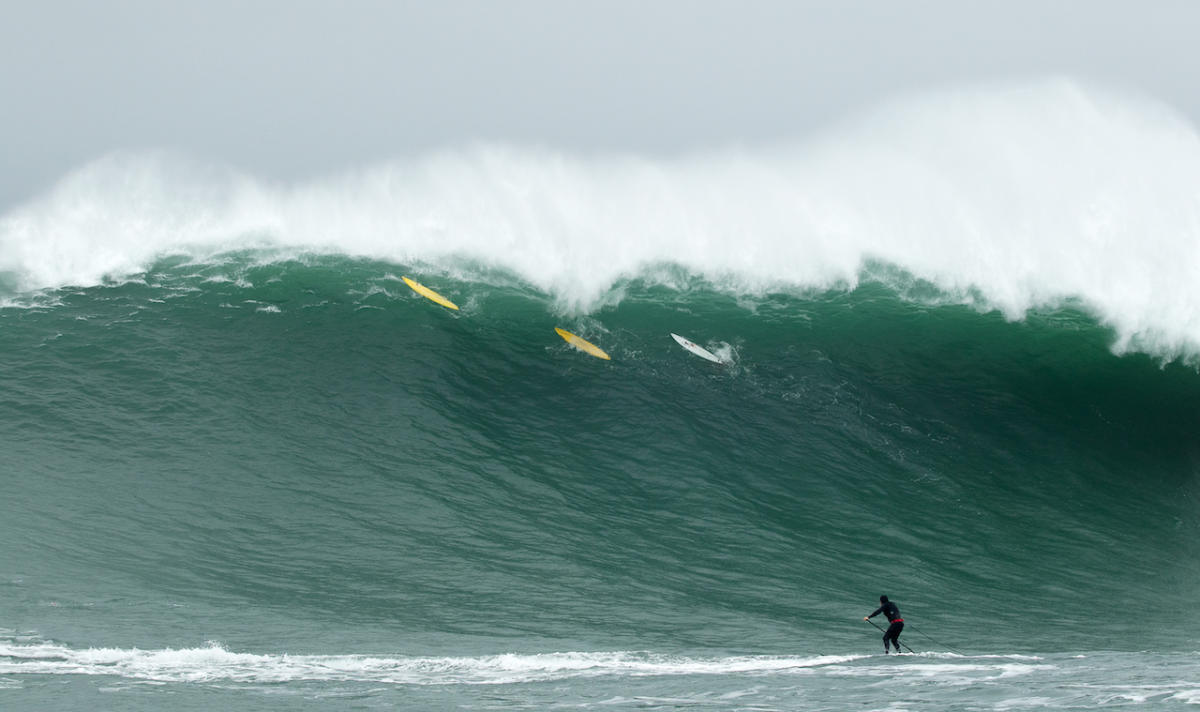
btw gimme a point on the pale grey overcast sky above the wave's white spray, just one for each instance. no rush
(292, 89)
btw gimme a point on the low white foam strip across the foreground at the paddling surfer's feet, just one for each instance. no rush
(1010, 683)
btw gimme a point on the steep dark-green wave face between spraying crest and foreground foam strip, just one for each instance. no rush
(316, 436)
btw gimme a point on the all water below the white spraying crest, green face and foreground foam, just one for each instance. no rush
(295, 483)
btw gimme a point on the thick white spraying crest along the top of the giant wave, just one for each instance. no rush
(1012, 196)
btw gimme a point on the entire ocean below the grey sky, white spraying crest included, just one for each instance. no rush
(244, 466)
